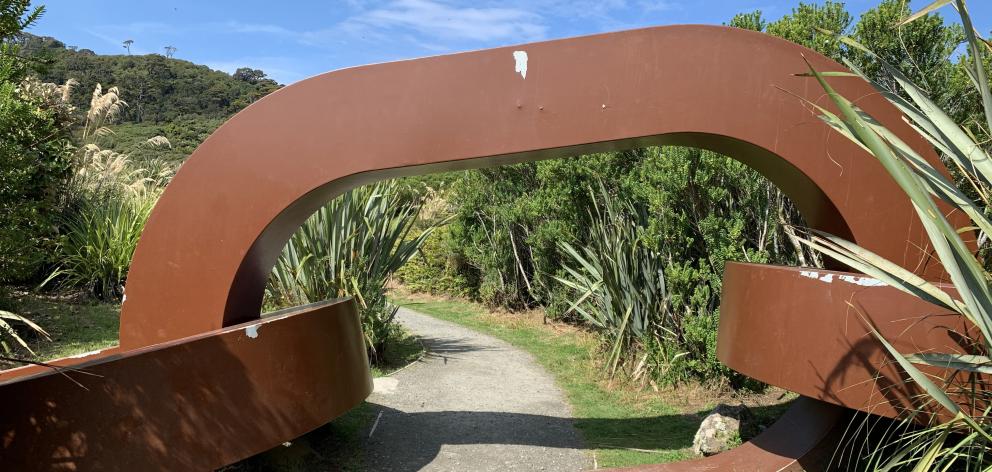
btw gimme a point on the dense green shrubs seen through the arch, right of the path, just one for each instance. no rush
(699, 210)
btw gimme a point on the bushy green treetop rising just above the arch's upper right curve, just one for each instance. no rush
(803, 26)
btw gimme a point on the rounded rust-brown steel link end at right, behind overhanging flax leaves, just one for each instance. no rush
(805, 330)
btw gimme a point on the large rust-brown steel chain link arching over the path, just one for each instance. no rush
(207, 250)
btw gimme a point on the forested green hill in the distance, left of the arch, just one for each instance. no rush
(175, 98)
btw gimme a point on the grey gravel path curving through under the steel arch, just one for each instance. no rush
(474, 403)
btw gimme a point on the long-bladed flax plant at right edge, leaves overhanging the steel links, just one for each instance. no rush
(965, 441)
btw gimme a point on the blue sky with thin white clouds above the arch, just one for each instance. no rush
(293, 40)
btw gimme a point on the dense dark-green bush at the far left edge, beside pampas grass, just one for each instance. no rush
(35, 156)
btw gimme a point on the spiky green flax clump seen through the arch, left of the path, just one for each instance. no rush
(351, 247)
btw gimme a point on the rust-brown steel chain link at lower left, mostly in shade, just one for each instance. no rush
(197, 403)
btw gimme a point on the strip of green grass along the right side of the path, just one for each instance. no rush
(612, 423)
